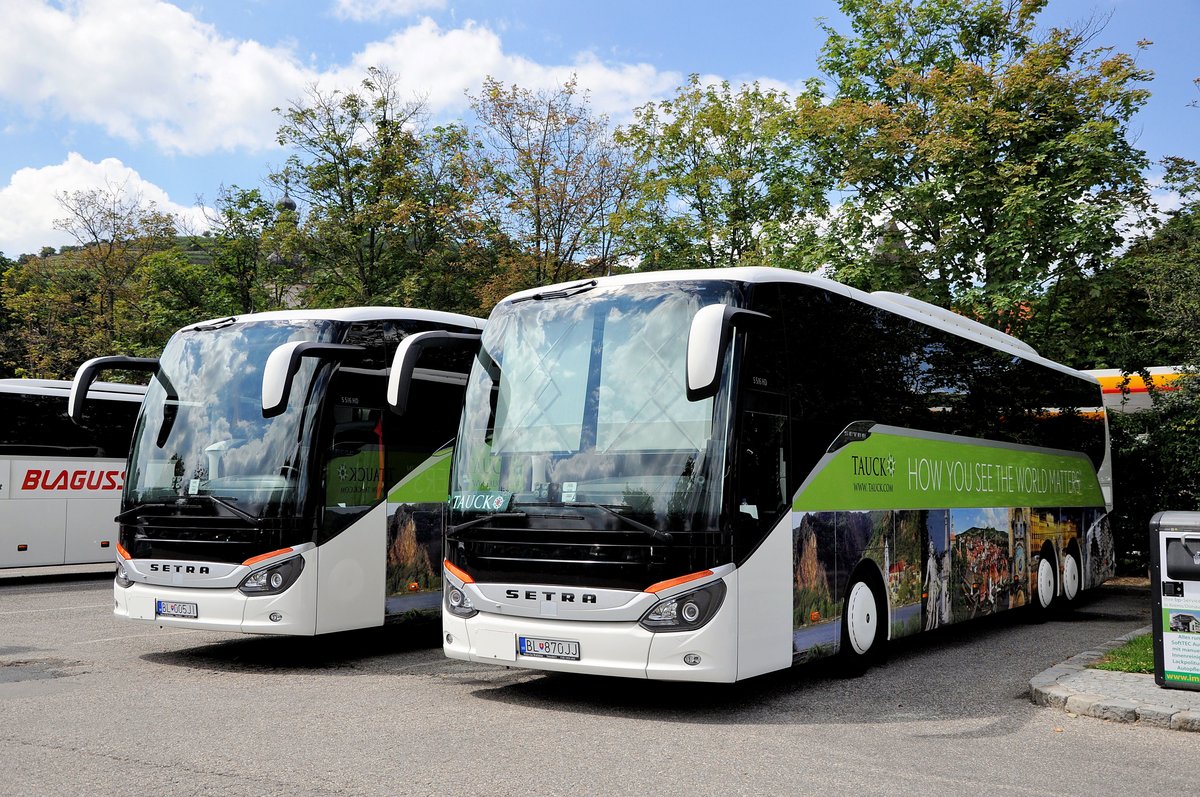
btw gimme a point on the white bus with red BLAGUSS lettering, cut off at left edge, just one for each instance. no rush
(61, 483)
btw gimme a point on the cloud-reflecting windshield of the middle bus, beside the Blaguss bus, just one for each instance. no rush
(202, 432)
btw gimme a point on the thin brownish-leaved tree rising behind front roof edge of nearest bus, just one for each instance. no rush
(553, 183)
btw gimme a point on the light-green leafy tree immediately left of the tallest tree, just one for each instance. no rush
(727, 179)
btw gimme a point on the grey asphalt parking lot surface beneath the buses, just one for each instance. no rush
(94, 706)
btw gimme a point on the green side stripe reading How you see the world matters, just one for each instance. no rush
(903, 470)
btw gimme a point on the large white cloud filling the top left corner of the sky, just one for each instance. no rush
(146, 70)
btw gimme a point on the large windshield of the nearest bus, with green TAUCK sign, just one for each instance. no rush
(580, 399)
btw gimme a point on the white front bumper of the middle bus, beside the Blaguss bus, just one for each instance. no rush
(219, 610)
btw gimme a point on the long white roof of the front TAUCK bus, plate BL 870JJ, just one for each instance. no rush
(897, 304)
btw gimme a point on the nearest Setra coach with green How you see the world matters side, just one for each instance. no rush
(715, 475)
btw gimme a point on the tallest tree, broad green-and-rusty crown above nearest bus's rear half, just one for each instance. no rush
(1000, 153)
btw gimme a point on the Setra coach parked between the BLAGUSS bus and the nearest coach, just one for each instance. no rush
(268, 489)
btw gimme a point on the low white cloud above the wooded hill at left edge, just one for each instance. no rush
(29, 205)
